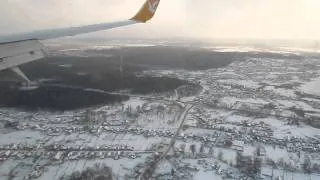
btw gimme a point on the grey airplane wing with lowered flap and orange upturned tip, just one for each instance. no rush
(17, 49)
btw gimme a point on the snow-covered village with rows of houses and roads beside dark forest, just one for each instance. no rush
(235, 123)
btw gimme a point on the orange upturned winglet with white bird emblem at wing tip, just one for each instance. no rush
(147, 11)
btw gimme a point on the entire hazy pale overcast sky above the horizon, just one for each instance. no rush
(274, 19)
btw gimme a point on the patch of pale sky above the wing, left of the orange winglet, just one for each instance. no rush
(33, 14)
